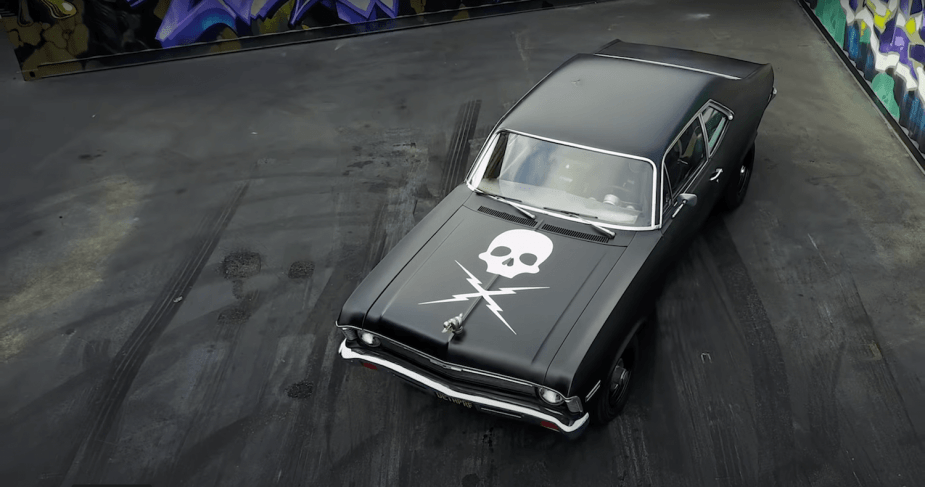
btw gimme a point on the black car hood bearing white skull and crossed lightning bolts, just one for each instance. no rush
(516, 315)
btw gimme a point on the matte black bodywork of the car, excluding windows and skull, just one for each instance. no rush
(561, 325)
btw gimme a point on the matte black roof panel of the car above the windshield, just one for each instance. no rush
(619, 105)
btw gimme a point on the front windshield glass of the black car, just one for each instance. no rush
(604, 187)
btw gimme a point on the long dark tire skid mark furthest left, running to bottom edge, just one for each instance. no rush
(107, 400)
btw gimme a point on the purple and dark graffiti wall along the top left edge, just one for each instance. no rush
(59, 36)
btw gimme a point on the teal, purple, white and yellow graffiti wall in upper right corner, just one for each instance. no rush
(884, 40)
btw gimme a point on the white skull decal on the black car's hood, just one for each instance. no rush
(516, 252)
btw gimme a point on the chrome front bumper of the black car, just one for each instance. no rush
(480, 402)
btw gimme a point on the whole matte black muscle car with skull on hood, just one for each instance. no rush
(521, 293)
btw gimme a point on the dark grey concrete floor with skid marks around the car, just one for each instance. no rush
(790, 345)
